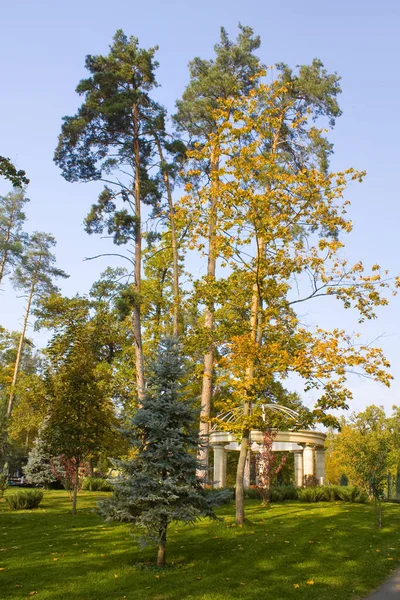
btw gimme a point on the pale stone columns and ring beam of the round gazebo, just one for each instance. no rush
(306, 445)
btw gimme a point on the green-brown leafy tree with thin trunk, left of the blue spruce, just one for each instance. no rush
(81, 415)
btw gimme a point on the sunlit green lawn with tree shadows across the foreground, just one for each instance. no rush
(331, 551)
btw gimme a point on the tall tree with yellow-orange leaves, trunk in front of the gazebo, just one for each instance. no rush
(284, 215)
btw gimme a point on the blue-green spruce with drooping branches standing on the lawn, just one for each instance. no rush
(159, 484)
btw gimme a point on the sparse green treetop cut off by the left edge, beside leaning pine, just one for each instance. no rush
(12, 236)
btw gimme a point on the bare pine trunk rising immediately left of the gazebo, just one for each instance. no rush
(207, 383)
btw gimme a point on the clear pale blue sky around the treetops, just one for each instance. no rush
(43, 45)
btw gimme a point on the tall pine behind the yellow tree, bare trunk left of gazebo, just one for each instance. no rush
(228, 75)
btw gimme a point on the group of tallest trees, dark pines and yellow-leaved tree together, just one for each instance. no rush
(241, 178)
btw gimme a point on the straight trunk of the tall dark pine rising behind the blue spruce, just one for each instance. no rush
(137, 325)
